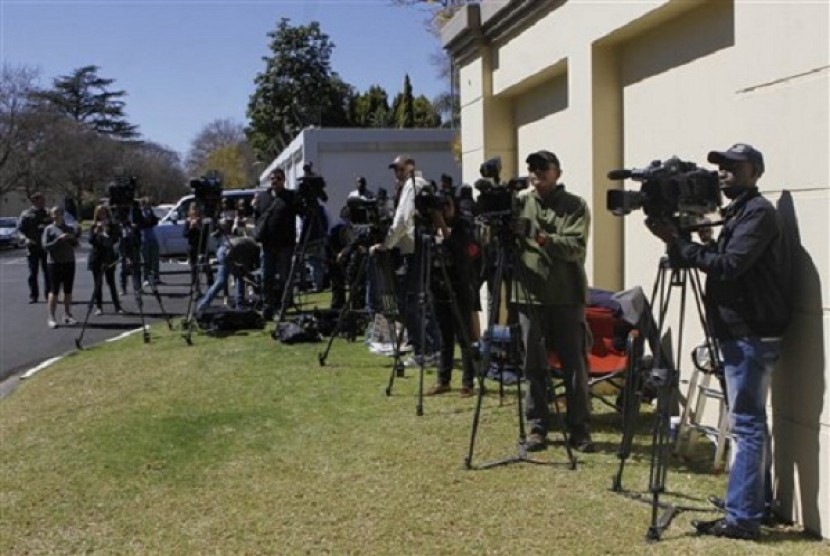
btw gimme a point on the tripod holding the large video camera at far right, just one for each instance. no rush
(664, 379)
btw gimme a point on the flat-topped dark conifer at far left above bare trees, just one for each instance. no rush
(85, 97)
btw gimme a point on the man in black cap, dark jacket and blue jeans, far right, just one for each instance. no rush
(748, 285)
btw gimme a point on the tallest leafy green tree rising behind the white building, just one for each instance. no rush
(297, 88)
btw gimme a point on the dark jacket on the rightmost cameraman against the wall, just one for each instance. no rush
(748, 271)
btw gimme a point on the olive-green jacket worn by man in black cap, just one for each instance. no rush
(552, 273)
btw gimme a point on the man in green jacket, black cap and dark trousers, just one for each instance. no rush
(549, 290)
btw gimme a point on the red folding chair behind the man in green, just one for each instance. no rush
(614, 359)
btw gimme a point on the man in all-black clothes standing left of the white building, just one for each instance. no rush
(276, 214)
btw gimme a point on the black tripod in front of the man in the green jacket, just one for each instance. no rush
(506, 258)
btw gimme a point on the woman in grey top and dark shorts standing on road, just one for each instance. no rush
(59, 241)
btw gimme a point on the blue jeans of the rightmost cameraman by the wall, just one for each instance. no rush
(748, 364)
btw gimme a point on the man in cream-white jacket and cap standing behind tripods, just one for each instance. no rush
(401, 235)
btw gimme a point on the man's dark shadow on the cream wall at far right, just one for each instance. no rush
(798, 389)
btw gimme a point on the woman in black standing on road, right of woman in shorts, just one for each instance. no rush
(103, 236)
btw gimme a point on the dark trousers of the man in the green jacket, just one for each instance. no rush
(559, 327)
